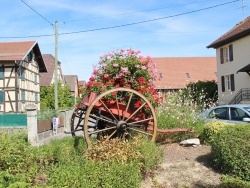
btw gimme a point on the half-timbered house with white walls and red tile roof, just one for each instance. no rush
(20, 66)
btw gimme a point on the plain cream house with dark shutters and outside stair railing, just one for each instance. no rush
(233, 63)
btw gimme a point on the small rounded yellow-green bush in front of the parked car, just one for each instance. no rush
(210, 130)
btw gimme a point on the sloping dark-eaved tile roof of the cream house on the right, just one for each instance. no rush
(241, 30)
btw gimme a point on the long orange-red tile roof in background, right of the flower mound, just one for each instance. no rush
(179, 71)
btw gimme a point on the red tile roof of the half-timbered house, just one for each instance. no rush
(11, 51)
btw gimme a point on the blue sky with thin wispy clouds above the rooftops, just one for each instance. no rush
(88, 29)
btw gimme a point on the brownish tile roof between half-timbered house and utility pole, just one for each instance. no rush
(46, 78)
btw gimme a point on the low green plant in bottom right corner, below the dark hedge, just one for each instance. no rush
(231, 182)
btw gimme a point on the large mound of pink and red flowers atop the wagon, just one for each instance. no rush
(125, 68)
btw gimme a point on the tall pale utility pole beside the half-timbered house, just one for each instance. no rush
(56, 66)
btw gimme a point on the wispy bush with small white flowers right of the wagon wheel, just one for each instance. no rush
(175, 114)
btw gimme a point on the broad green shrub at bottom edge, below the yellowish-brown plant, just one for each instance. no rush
(95, 174)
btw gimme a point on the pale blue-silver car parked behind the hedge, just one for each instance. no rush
(232, 113)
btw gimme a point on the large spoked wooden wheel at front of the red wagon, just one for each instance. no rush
(120, 113)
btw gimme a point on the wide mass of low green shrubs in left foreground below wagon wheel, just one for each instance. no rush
(62, 163)
